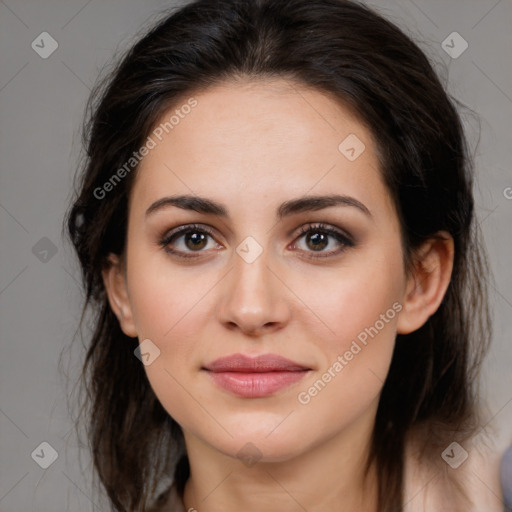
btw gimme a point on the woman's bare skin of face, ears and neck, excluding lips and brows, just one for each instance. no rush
(252, 146)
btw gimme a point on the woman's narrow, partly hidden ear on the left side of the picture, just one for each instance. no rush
(115, 284)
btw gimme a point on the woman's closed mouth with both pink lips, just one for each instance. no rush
(255, 377)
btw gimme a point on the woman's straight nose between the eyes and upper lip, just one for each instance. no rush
(253, 298)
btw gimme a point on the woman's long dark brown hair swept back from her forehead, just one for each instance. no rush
(337, 47)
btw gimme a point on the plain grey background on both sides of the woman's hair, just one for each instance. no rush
(41, 108)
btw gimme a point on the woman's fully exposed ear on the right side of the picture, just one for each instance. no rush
(427, 282)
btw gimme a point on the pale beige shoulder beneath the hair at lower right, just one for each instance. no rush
(460, 478)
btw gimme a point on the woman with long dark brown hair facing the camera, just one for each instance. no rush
(276, 229)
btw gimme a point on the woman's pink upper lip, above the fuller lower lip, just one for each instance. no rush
(258, 364)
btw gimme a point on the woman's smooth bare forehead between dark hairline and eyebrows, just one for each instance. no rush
(258, 138)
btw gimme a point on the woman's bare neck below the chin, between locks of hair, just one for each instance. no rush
(328, 477)
